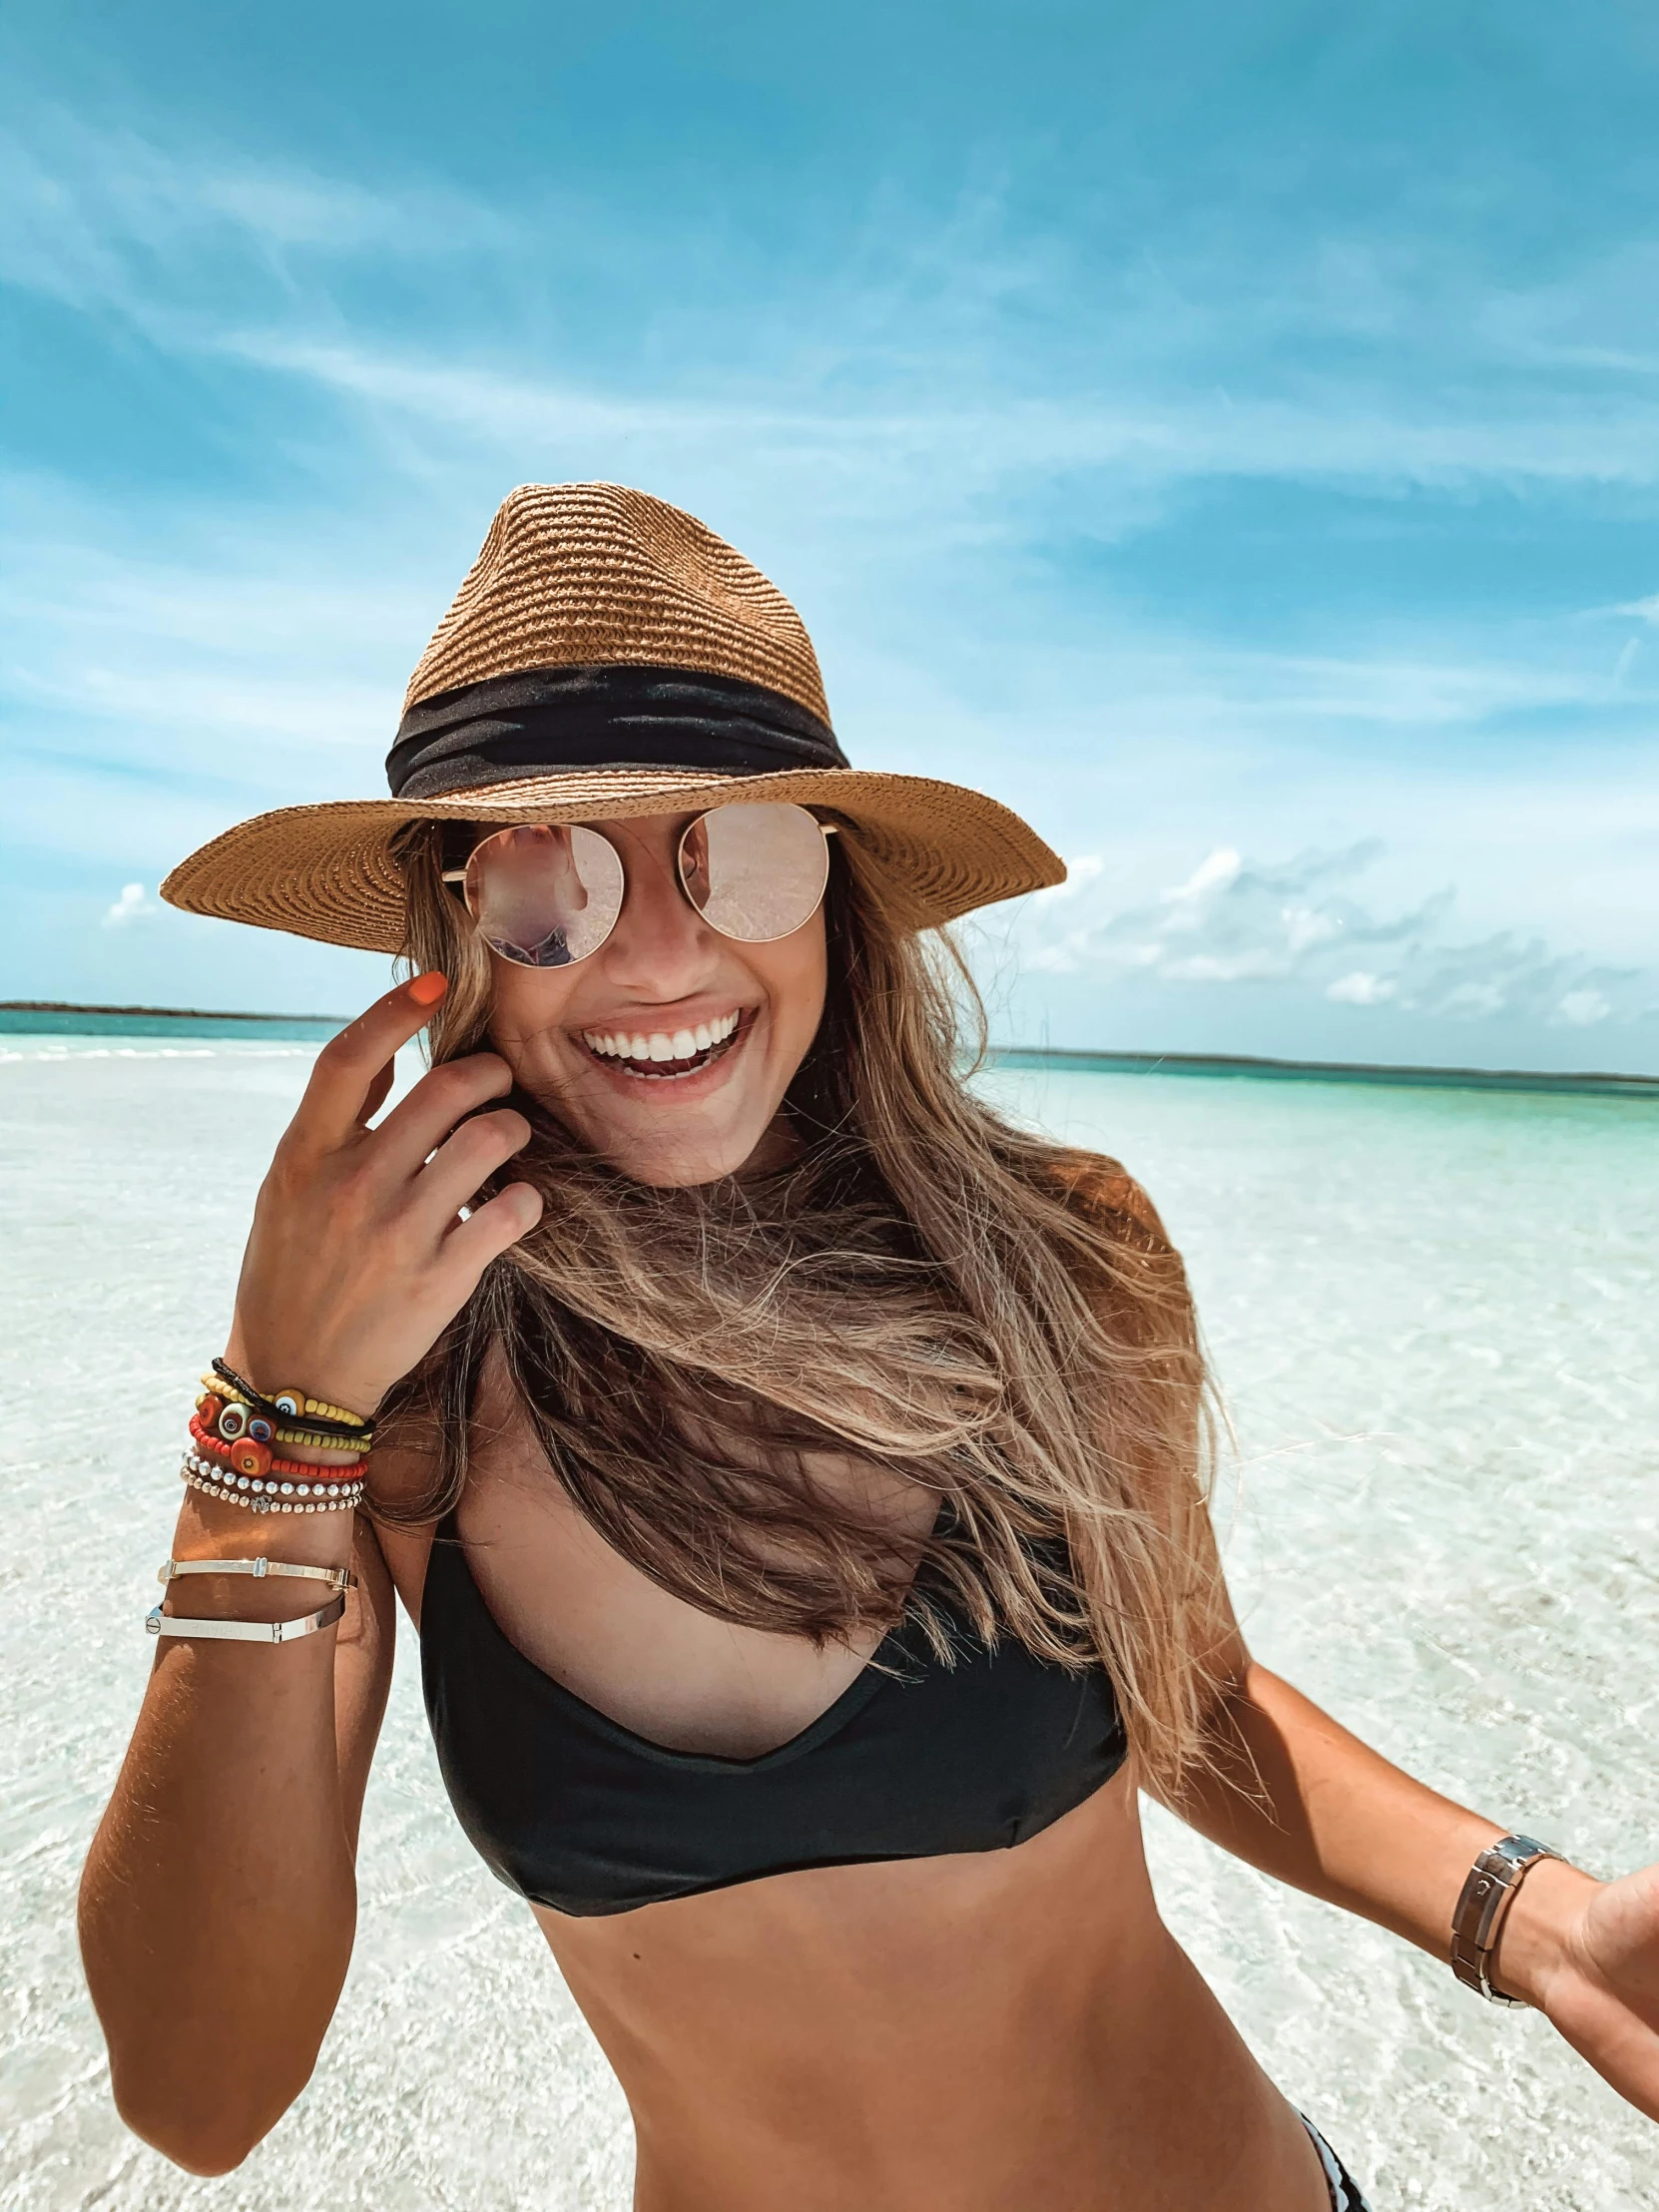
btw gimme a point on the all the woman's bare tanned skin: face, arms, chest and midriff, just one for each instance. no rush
(966, 2034)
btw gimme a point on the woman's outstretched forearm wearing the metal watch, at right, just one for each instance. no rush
(1306, 1802)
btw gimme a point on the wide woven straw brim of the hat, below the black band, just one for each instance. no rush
(328, 873)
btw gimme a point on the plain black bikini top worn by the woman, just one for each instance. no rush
(912, 1760)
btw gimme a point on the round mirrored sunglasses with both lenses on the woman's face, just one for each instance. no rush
(547, 895)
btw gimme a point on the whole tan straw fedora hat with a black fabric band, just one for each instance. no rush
(605, 658)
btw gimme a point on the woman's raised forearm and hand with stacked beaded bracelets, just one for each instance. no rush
(220, 1903)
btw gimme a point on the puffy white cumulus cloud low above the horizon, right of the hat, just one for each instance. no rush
(1300, 924)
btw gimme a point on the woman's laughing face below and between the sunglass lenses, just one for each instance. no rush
(669, 1050)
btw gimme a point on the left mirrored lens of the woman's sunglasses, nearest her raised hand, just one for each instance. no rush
(545, 897)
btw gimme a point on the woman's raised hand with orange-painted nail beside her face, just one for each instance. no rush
(359, 1255)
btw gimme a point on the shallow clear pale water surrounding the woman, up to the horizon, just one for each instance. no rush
(1434, 1317)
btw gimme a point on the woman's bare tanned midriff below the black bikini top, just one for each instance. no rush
(970, 2034)
